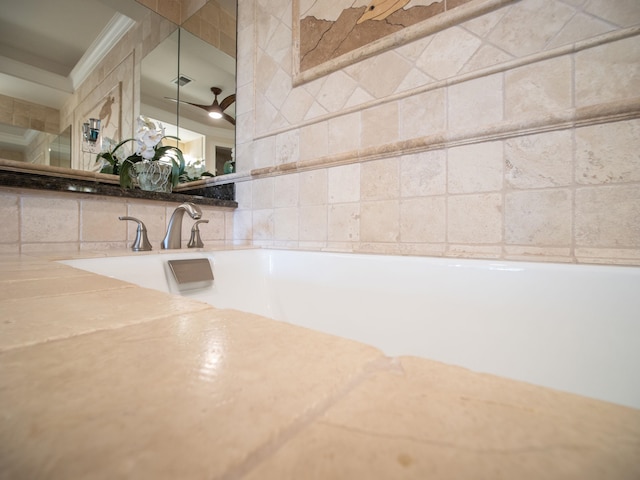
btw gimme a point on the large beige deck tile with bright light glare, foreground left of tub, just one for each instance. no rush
(186, 397)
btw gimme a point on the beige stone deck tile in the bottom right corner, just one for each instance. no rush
(423, 420)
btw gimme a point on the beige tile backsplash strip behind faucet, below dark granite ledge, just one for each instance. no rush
(36, 221)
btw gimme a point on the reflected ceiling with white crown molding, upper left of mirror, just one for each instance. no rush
(40, 61)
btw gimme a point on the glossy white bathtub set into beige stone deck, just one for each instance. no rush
(575, 328)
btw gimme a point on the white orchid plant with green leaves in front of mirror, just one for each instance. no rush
(149, 148)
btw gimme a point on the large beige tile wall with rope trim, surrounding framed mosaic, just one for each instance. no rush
(512, 135)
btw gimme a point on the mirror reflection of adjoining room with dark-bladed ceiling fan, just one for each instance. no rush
(165, 91)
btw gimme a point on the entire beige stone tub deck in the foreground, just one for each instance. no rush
(103, 379)
